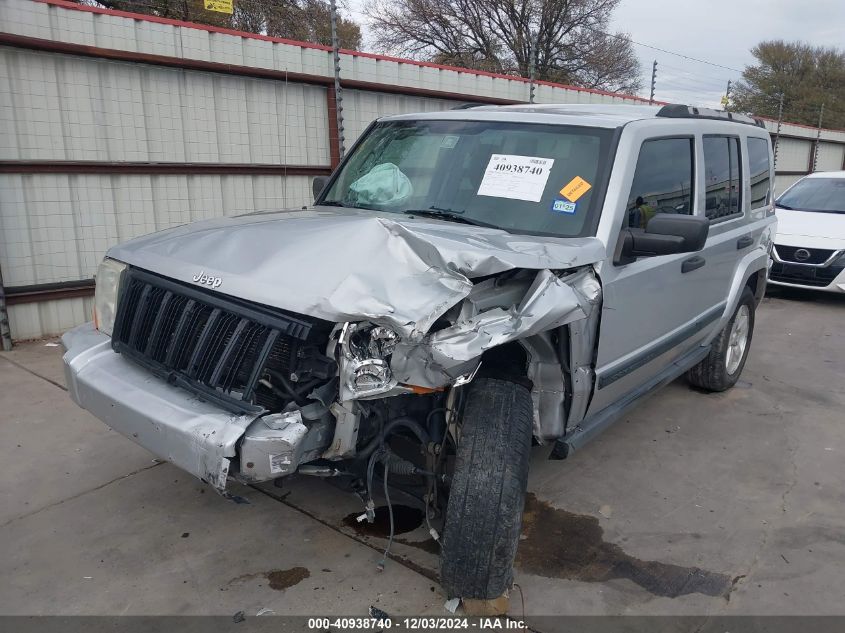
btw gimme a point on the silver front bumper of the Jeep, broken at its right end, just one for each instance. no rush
(172, 423)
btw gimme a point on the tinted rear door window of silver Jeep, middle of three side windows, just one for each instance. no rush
(723, 182)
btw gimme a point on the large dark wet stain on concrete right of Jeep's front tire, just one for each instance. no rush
(560, 544)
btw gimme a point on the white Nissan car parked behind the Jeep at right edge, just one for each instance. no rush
(809, 248)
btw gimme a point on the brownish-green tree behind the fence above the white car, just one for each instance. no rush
(805, 75)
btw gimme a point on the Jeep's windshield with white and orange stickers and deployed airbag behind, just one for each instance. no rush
(524, 178)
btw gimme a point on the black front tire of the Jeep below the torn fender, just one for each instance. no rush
(487, 495)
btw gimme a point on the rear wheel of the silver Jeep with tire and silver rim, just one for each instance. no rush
(723, 366)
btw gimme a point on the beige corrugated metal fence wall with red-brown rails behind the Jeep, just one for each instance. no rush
(114, 125)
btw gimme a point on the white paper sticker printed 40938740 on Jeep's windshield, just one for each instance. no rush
(516, 177)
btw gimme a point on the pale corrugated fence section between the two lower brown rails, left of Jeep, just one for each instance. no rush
(56, 227)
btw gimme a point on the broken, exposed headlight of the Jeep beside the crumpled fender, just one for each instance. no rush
(366, 358)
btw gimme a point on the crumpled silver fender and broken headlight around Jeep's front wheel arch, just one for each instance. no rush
(553, 317)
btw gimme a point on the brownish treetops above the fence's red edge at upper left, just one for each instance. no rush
(303, 20)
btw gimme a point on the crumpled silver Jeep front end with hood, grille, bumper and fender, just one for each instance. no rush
(227, 386)
